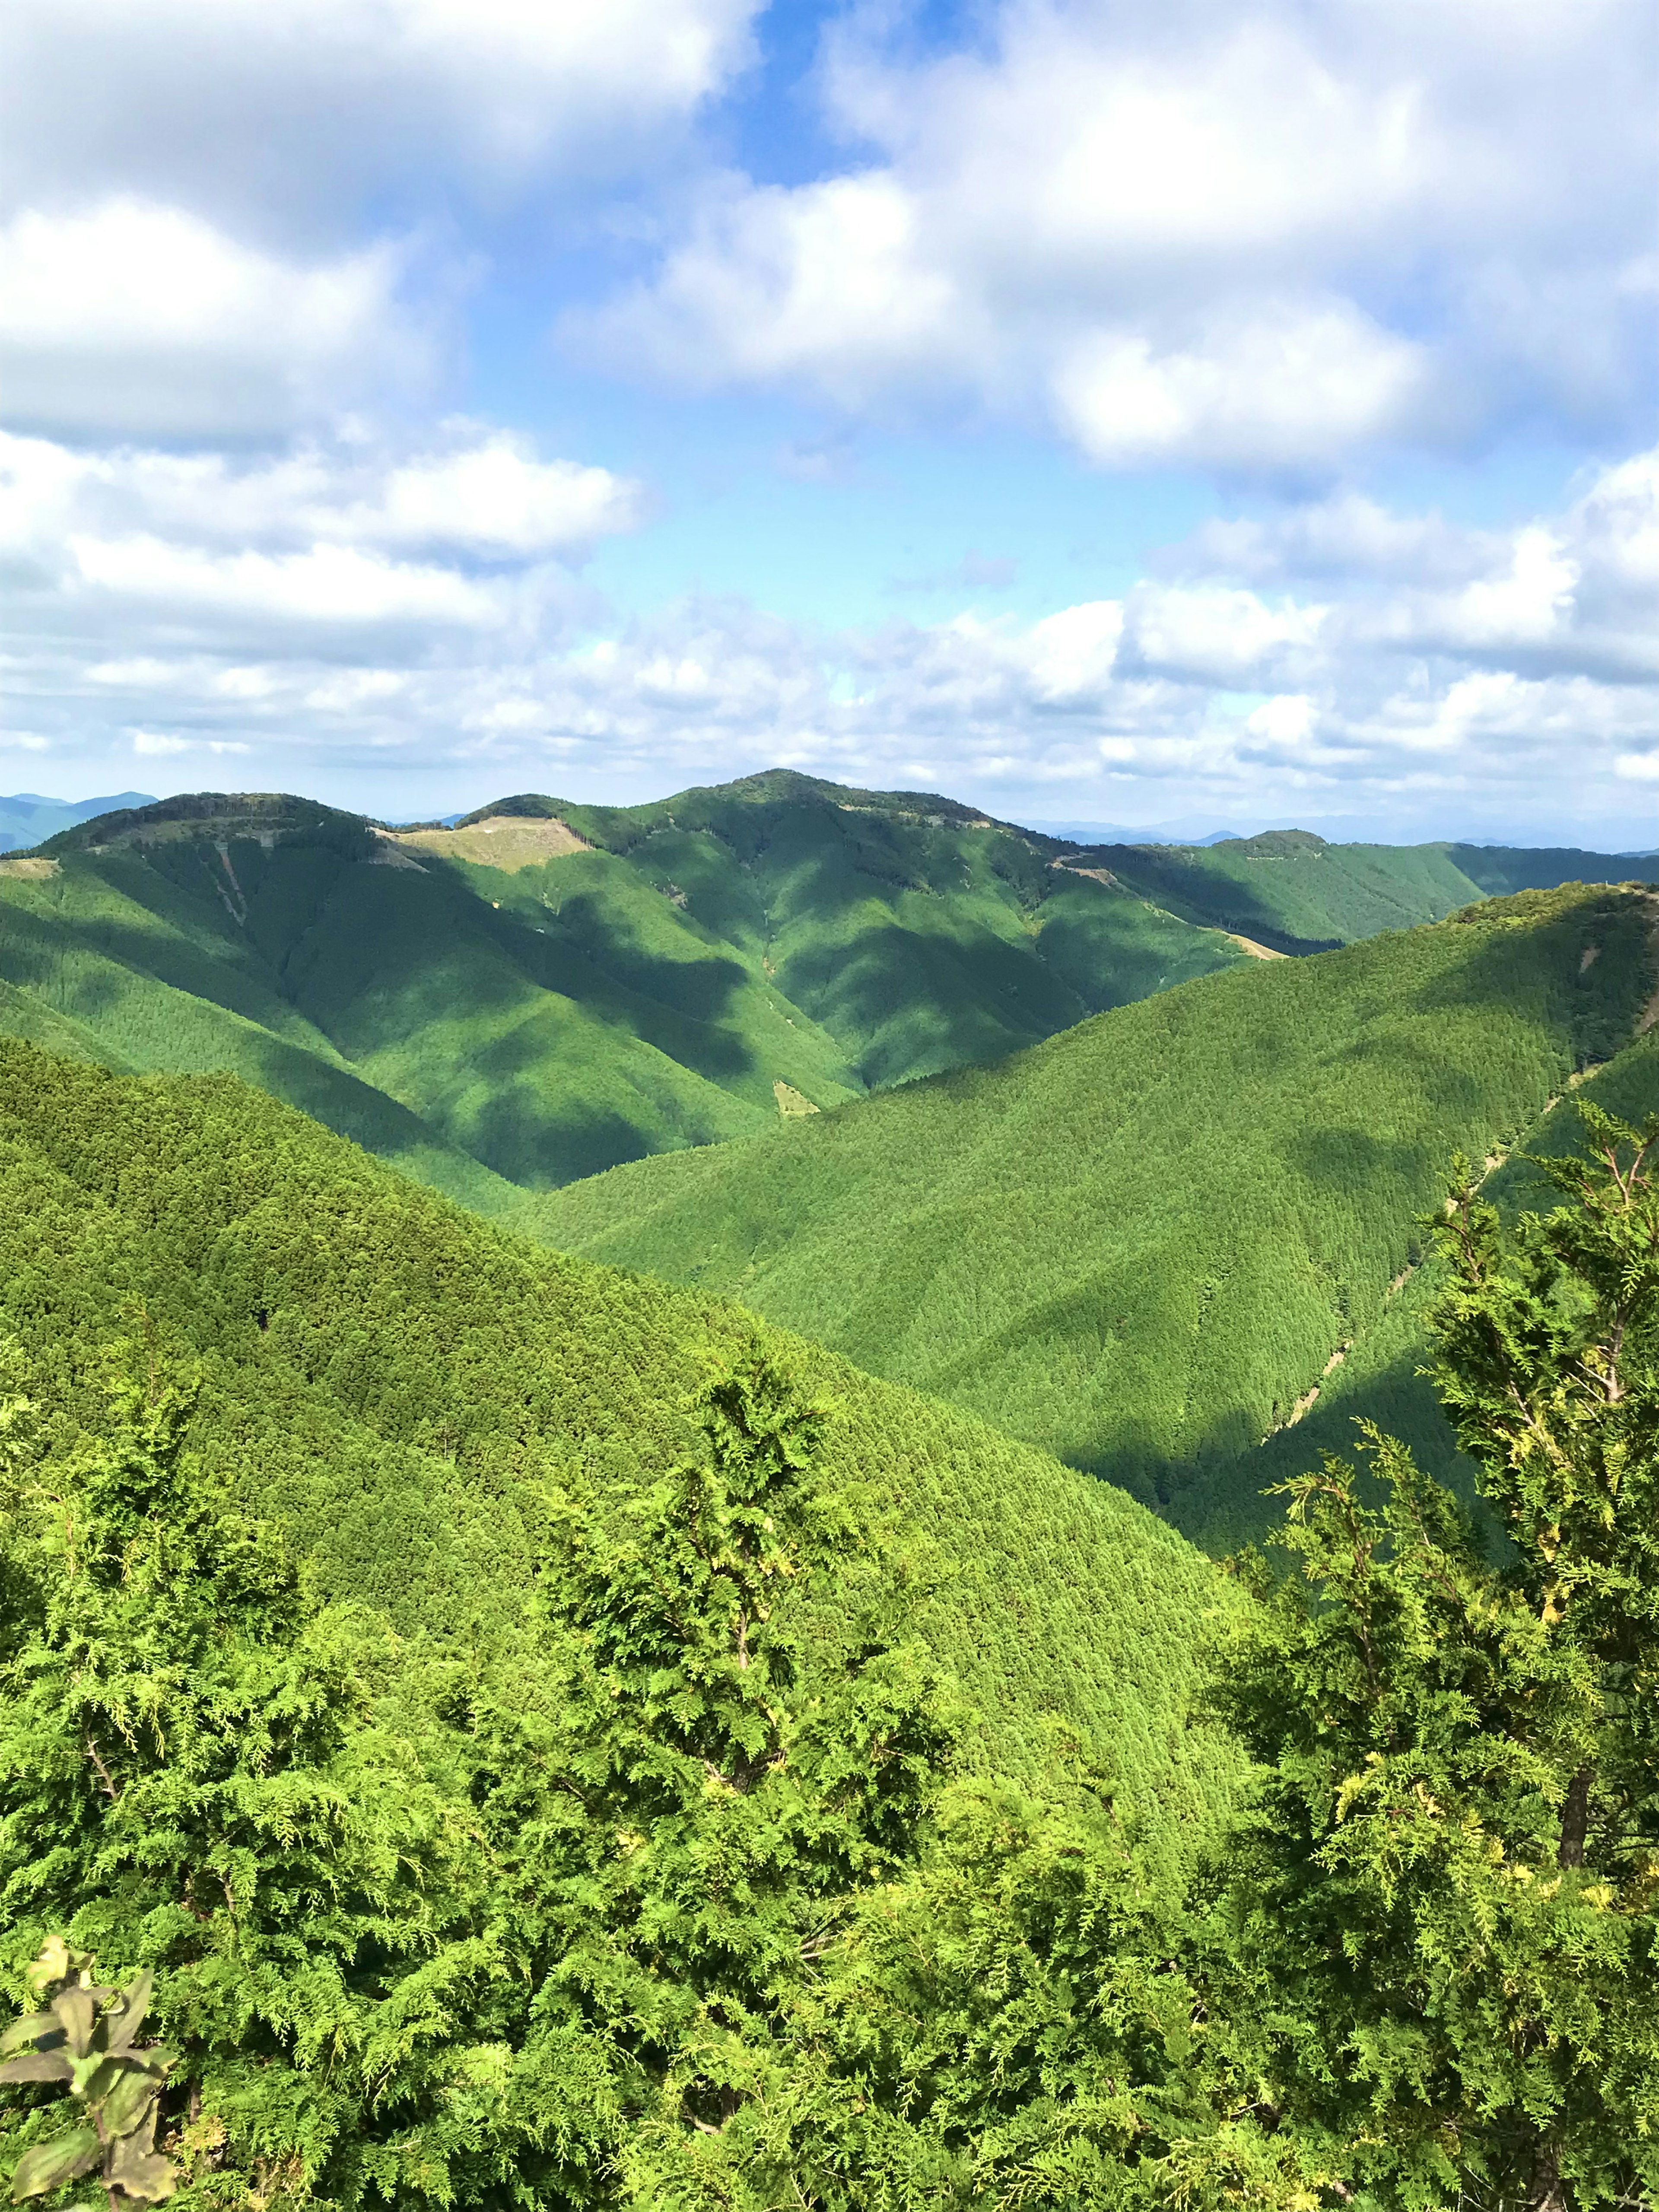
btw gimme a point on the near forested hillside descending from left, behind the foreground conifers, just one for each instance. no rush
(401, 1381)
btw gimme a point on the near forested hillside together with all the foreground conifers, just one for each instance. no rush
(656, 1857)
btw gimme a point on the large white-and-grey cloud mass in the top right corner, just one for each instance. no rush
(1249, 238)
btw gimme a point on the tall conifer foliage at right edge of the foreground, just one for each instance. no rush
(1446, 1910)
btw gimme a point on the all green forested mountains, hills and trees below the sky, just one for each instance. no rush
(634, 1459)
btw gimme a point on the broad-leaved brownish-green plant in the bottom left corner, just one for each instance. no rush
(85, 2045)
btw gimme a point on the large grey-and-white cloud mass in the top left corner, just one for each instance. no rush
(227, 220)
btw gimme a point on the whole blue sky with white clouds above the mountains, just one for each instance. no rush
(1198, 413)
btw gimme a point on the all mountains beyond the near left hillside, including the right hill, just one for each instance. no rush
(1116, 1147)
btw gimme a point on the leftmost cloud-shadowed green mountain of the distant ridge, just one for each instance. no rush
(519, 1043)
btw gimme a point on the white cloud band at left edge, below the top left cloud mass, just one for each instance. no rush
(317, 552)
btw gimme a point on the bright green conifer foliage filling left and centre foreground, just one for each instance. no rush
(603, 1910)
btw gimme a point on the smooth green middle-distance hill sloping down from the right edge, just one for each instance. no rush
(1154, 1242)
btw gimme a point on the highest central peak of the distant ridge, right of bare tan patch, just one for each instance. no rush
(915, 930)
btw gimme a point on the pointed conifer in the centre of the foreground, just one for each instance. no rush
(731, 1742)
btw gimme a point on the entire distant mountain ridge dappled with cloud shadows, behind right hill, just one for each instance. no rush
(543, 990)
